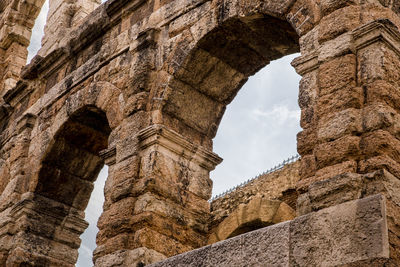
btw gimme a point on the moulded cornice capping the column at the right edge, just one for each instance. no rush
(380, 30)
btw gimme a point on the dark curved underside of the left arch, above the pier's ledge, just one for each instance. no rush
(73, 163)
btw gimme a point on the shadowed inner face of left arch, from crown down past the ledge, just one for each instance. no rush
(66, 178)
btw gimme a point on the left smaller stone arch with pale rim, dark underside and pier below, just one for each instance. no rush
(60, 188)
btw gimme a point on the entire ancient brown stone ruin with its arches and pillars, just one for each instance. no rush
(142, 85)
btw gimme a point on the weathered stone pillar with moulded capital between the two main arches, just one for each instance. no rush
(156, 199)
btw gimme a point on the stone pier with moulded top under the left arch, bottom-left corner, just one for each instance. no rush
(49, 228)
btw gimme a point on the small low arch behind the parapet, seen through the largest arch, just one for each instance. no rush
(259, 212)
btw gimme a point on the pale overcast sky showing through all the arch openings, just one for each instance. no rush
(257, 132)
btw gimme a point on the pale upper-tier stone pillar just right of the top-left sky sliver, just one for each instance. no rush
(62, 17)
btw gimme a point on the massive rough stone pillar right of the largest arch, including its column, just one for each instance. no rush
(350, 113)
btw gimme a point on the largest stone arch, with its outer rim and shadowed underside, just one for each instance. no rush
(214, 58)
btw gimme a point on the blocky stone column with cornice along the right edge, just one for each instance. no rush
(378, 56)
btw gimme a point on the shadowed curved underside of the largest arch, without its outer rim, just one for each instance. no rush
(221, 63)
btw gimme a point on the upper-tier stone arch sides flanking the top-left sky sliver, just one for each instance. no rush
(18, 19)
